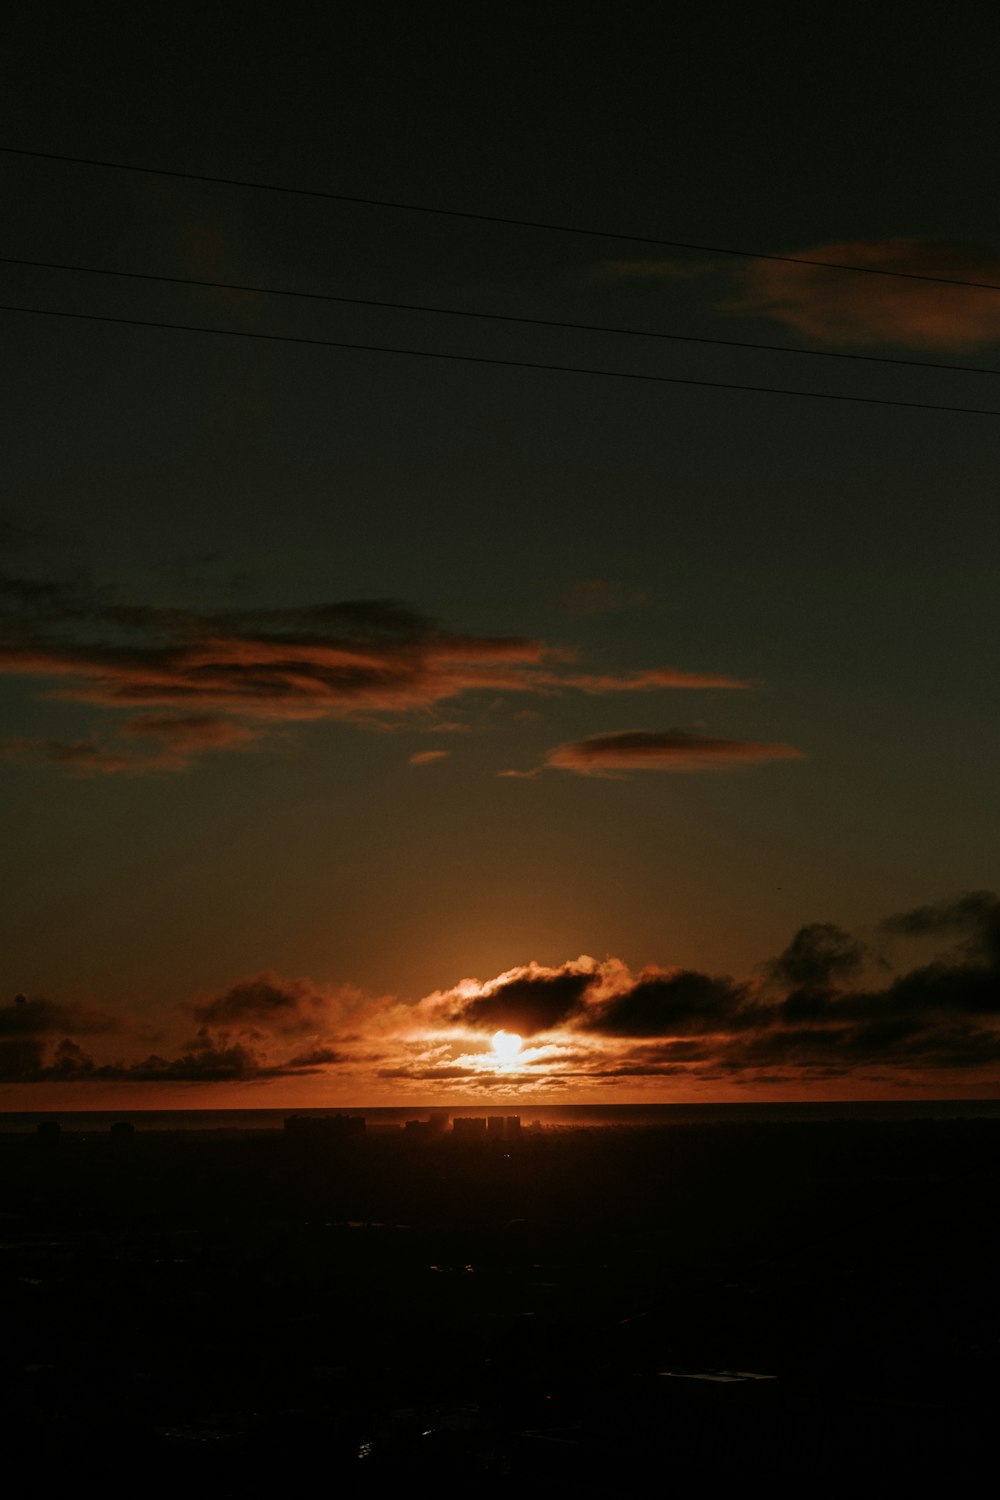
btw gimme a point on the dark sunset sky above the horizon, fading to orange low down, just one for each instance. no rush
(356, 707)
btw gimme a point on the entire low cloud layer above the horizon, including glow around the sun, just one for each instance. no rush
(828, 1007)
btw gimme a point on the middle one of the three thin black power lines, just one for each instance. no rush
(497, 317)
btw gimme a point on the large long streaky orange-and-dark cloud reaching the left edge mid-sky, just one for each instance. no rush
(296, 664)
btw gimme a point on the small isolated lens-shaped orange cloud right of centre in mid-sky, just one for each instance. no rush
(663, 751)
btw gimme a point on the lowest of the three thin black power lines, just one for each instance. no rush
(482, 359)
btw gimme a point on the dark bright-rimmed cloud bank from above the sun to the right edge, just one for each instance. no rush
(810, 1016)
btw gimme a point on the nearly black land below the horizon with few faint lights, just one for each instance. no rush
(238, 1315)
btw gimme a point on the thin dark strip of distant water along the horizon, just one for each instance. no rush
(548, 1115)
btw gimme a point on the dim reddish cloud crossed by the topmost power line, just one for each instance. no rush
(858, 311)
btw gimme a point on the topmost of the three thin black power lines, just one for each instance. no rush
(496, 218)
